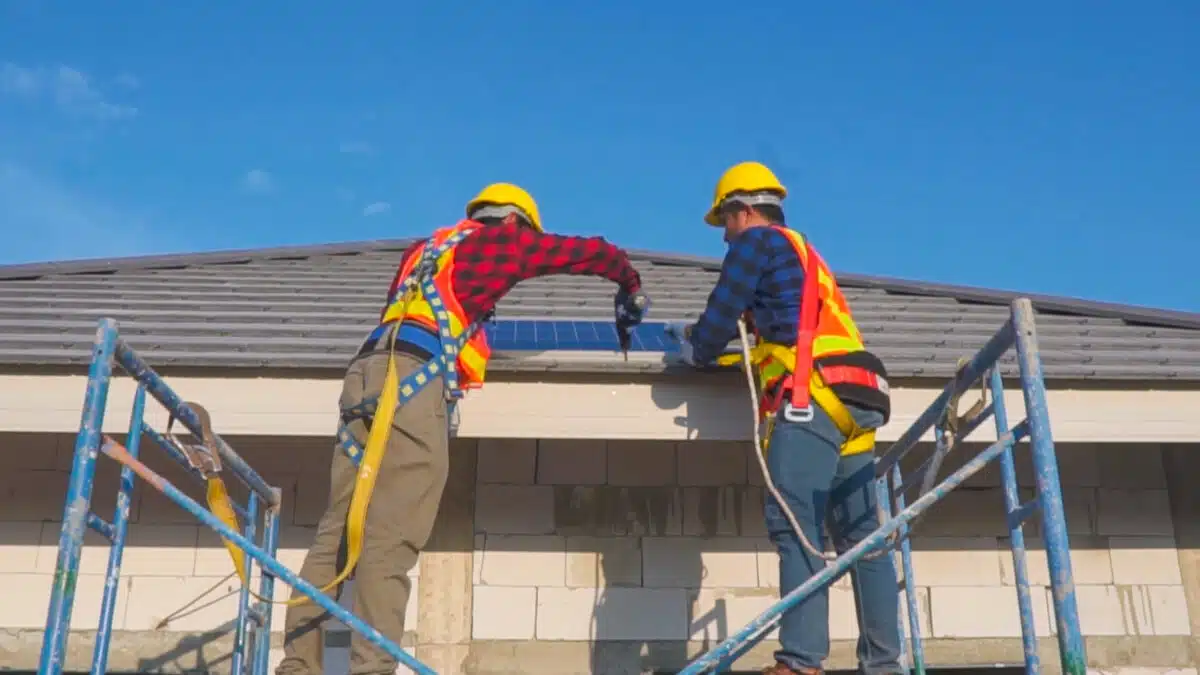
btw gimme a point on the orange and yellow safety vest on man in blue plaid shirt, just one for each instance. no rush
(830, 356)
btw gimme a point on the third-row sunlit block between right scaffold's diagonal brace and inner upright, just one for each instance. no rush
(957, 561)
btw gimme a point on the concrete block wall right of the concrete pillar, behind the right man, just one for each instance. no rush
(653, 541)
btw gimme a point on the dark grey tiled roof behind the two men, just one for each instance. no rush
(310, 307)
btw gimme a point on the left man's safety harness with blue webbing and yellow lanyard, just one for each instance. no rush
(380, 410)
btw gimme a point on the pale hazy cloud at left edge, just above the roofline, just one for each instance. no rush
(49, 220)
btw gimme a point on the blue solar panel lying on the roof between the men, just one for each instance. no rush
(535, 336)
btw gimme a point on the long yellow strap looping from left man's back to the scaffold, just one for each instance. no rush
(361, 500)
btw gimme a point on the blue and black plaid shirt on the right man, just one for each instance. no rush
(761, 273)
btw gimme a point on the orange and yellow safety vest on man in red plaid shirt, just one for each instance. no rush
(473, 359)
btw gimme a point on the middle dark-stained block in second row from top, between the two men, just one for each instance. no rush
(617, 512)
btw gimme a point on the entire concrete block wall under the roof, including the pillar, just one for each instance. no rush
(610, 557)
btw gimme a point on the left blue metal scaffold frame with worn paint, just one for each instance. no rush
(259, 515)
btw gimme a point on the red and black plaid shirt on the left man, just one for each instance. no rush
(496, 258)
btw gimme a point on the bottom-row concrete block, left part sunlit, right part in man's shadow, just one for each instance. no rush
(613, 614)
